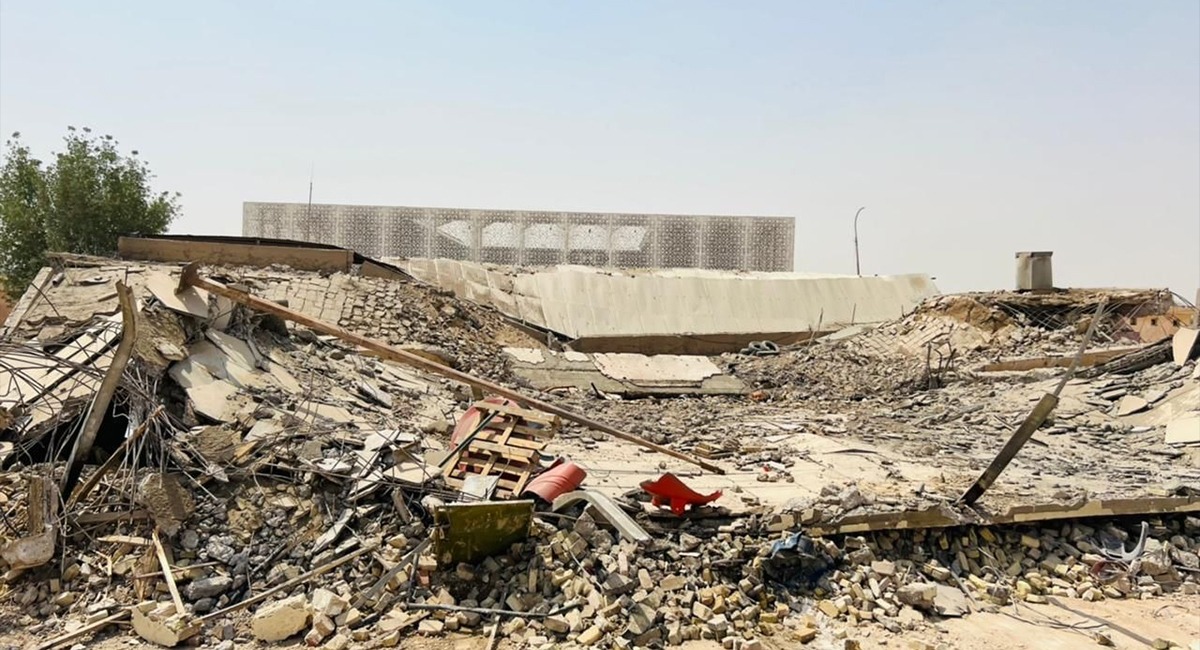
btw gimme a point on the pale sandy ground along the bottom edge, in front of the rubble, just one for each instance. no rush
(1065, 625)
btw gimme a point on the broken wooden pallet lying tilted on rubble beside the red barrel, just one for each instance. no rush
(507, 448)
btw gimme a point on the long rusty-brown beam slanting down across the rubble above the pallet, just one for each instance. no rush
(191, 278)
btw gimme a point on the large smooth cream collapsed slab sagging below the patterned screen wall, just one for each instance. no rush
(664, 311)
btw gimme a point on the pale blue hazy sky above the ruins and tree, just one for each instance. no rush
(970, 130)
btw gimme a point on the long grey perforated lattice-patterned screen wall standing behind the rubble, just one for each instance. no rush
(530, 239)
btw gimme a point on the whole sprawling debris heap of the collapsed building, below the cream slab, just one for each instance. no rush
(320, 447)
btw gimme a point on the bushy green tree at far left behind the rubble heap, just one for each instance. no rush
(81, 202)
